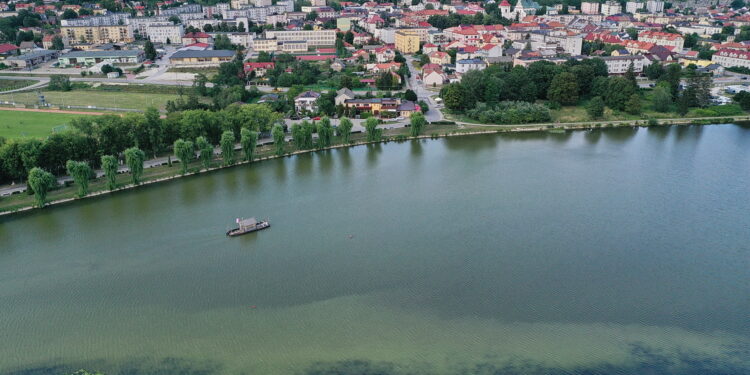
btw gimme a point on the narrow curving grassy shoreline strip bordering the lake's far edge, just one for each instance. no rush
(492, 129)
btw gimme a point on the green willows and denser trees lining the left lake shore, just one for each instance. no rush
(106, 138)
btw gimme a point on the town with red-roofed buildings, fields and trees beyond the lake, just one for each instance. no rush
(190, 71)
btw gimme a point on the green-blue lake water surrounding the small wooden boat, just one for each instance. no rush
(620, 251)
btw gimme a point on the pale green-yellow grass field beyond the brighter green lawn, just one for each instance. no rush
(96, 98)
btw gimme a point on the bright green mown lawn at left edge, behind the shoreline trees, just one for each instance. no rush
(18, 124)
